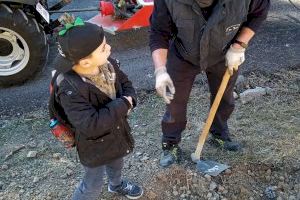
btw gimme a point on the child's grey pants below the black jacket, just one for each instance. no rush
(91, 184)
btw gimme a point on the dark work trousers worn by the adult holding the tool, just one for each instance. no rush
(183, 75)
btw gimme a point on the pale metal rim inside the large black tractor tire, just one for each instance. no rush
(15, 56)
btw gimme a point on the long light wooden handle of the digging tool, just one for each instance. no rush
(212, 114)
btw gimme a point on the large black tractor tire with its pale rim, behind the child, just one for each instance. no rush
(23, 46)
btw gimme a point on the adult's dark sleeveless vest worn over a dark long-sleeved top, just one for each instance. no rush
(205, 42)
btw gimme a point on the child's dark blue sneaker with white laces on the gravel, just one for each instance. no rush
(130, 190)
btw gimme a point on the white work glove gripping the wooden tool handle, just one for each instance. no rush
(234, 58)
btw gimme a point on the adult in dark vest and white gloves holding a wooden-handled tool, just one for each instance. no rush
(190, 36)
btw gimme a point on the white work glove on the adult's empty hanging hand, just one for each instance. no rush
(164, 81)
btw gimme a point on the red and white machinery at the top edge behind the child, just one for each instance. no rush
(111, 24)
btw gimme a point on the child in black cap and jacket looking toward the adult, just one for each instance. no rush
(96, 103)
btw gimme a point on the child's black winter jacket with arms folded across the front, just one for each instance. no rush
(101, 129)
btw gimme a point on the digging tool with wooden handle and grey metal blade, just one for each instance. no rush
(210, 167)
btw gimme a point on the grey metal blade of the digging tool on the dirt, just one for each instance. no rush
(210, 167)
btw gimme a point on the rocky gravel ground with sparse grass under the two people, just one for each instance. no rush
(35, 166)
